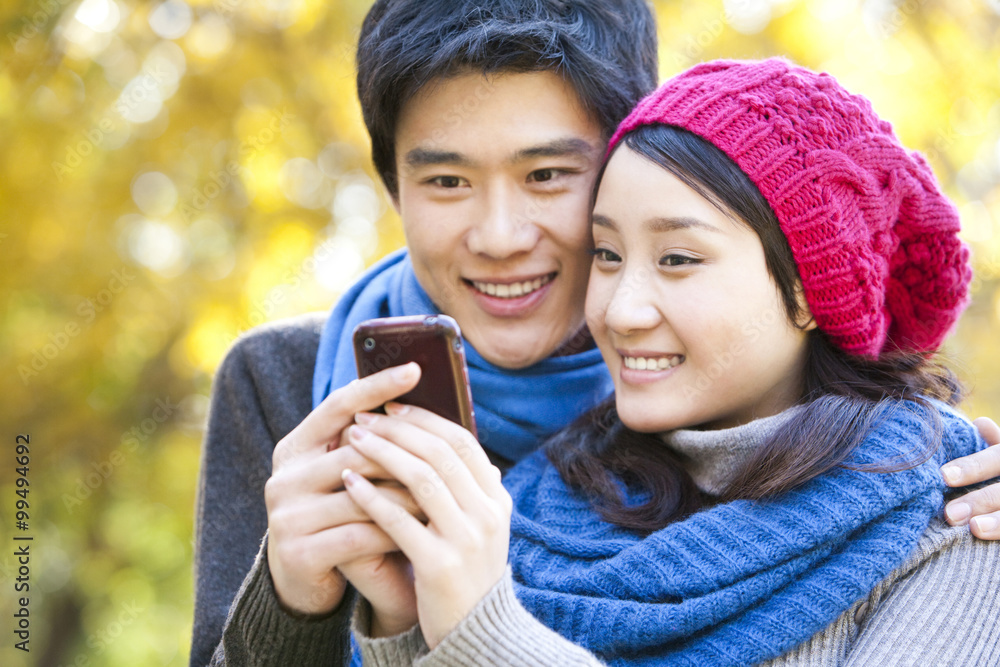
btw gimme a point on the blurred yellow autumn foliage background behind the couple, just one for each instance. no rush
(175, 173)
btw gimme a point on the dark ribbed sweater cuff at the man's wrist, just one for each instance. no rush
(261, 632)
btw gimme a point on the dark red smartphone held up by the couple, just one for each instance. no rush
(435, 343)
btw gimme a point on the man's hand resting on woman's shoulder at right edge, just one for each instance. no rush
(981, 508)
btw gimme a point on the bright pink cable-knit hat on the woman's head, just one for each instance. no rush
(874, 239)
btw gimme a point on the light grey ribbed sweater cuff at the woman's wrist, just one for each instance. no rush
(500, 631)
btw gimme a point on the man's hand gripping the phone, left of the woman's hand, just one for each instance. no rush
(311, 529)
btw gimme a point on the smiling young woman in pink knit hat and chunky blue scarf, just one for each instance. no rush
(772, 275)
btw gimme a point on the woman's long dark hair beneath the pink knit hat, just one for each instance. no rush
(843, 398)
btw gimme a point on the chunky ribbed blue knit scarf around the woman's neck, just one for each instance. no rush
(740, 582)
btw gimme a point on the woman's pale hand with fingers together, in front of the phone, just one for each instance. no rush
(462, 552)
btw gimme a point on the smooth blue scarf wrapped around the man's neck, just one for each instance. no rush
(515, 409)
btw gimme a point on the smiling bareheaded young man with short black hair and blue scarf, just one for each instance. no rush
(489, 122)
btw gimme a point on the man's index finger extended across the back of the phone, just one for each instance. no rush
(323, 425)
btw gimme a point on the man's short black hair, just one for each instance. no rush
(605, 49)
